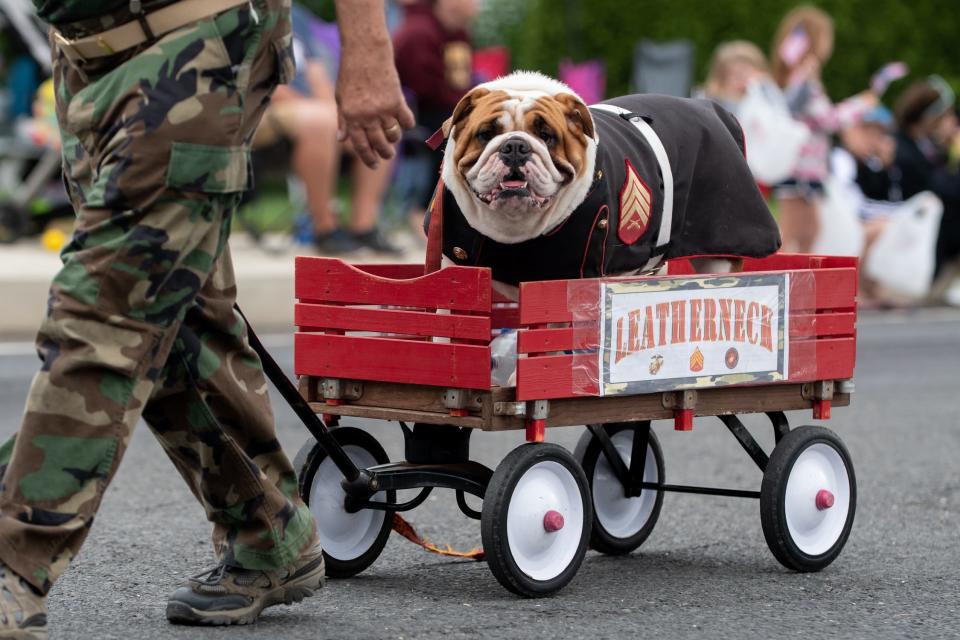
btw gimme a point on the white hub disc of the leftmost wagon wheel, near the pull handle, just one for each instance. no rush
(344, 536)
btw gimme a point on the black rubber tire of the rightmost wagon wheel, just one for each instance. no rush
(773, 517)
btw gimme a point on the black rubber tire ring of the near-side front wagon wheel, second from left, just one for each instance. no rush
(493, 523)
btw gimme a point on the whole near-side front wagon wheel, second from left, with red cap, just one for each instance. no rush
(536, 520)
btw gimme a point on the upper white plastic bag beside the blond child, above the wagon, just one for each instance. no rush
(773, 137)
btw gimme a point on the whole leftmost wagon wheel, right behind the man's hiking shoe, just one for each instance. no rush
(351, 541)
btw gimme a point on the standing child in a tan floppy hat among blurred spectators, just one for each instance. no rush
(802, 45)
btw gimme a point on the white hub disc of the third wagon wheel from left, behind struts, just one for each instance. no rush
(620, 516)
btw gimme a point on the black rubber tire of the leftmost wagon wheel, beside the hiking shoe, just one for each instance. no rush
(306, 463)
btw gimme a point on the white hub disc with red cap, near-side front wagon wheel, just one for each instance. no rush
(542, 544)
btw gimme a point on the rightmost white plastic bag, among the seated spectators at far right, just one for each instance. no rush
(902, 258)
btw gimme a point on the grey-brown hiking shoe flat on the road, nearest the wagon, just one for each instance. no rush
(228, 595)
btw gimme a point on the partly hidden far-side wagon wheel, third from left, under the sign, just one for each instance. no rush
(620, 523)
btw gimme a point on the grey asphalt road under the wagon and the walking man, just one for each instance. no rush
(704, 572)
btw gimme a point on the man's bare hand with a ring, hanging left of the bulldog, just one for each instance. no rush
(372, 111)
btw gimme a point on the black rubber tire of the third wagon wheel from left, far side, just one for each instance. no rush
(588, 454)
